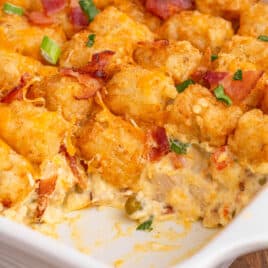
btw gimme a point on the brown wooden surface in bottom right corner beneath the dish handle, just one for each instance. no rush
(254, 260)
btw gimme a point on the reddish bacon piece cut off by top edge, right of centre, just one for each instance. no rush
(166, 8)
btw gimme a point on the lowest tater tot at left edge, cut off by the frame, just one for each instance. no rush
(15, 173)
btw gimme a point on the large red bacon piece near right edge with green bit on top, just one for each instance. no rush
(237, 90)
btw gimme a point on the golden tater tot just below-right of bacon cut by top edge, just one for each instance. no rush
(202, 30)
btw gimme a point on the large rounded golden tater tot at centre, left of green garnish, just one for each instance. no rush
(139, 93)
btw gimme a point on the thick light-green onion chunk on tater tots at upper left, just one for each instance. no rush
(50, 50)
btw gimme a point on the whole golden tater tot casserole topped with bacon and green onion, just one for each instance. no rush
(156, 107)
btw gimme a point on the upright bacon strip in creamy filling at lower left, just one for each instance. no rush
(45, 189)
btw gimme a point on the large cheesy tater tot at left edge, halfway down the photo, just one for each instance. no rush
(32, 131)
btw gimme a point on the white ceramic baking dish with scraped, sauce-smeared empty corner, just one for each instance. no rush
(23, 247)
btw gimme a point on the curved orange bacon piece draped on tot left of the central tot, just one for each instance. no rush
(91, 85)
